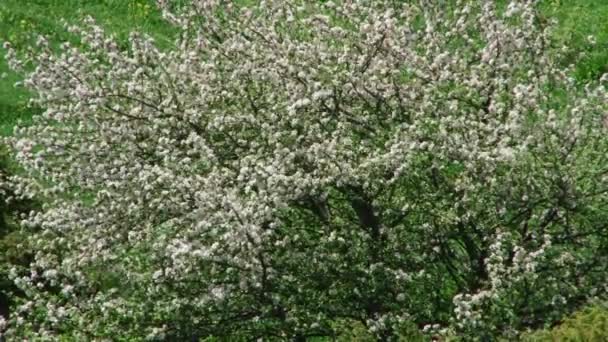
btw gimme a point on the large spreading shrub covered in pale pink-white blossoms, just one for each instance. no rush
(291, 164)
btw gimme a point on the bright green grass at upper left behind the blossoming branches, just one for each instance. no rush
(21, 20)
